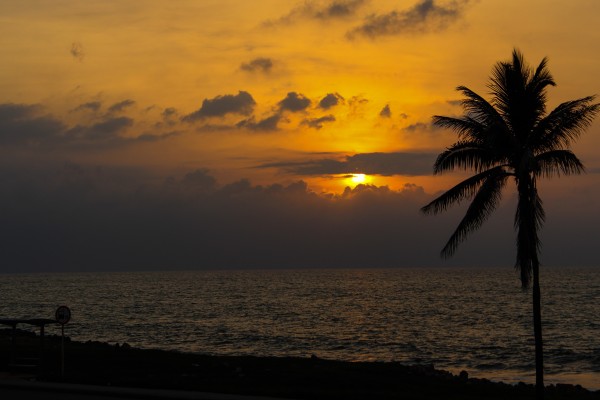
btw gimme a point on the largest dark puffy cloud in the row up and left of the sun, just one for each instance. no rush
(241, 103)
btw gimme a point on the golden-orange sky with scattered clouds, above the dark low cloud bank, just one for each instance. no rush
(273, 91)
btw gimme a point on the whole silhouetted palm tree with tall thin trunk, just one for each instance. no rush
(511, 136)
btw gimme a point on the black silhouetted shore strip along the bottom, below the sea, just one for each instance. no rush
(114, 365)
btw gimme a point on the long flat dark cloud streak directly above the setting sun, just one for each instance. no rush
(387, 164)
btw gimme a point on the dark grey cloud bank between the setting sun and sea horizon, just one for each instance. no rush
(81, 218)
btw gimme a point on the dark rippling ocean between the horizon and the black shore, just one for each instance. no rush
(478, 320)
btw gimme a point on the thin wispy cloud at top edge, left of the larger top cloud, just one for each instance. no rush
(331, 10)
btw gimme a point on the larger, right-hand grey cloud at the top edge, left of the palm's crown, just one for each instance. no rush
(424, 17)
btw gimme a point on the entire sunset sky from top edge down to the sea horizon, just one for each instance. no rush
(143, 135)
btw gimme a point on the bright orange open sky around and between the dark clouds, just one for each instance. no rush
(162, 55)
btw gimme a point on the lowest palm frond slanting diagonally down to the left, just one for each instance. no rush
(483, 205)
